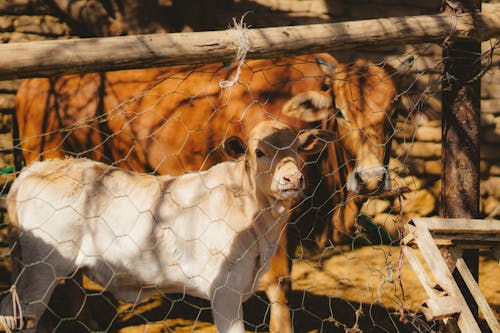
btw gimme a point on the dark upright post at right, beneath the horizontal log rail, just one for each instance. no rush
(461, 94)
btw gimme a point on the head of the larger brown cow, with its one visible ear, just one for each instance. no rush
(357, 103)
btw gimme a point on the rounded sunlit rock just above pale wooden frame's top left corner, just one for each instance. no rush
(419, 203)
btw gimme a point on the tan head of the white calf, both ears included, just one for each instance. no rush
(273, 156)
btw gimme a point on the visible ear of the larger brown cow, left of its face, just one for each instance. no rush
(309, 106)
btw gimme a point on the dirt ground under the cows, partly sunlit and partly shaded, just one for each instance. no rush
(352, 291)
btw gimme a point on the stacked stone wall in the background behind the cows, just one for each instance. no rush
(416, 149)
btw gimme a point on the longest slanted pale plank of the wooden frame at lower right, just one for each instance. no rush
(439, 269)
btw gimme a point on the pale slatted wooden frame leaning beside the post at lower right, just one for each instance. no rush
(435, 237)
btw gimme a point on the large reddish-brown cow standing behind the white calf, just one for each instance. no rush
(172, 120)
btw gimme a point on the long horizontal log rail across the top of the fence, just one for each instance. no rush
(52, 58)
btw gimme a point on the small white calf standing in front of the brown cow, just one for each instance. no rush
(208, 234)
